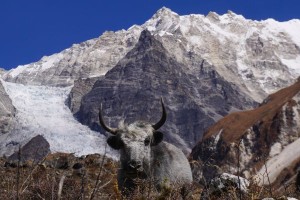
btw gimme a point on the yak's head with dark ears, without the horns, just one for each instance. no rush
(134, 142)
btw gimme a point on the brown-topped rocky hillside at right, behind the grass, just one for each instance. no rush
(268, 134)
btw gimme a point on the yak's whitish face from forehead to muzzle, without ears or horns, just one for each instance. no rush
(136, 151)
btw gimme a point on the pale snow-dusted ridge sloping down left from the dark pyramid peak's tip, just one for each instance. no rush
(91, 58)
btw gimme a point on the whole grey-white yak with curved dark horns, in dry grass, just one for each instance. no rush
(144, 154)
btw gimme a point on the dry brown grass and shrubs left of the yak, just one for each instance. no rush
(40, 181)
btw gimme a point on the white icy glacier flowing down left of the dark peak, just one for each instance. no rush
(41, 110)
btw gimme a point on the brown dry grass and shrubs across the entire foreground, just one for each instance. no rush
(97, 180)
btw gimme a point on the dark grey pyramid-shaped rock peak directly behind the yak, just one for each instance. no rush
(132, 89)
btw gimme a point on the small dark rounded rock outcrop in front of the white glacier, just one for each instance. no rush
(35, 150)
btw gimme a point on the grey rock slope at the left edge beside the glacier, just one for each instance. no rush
(7, 111)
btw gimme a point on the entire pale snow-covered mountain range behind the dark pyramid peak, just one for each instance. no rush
(258, 56)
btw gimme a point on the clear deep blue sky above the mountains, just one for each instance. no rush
(34, 28)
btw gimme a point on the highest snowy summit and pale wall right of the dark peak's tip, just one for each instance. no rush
(225, 42)
